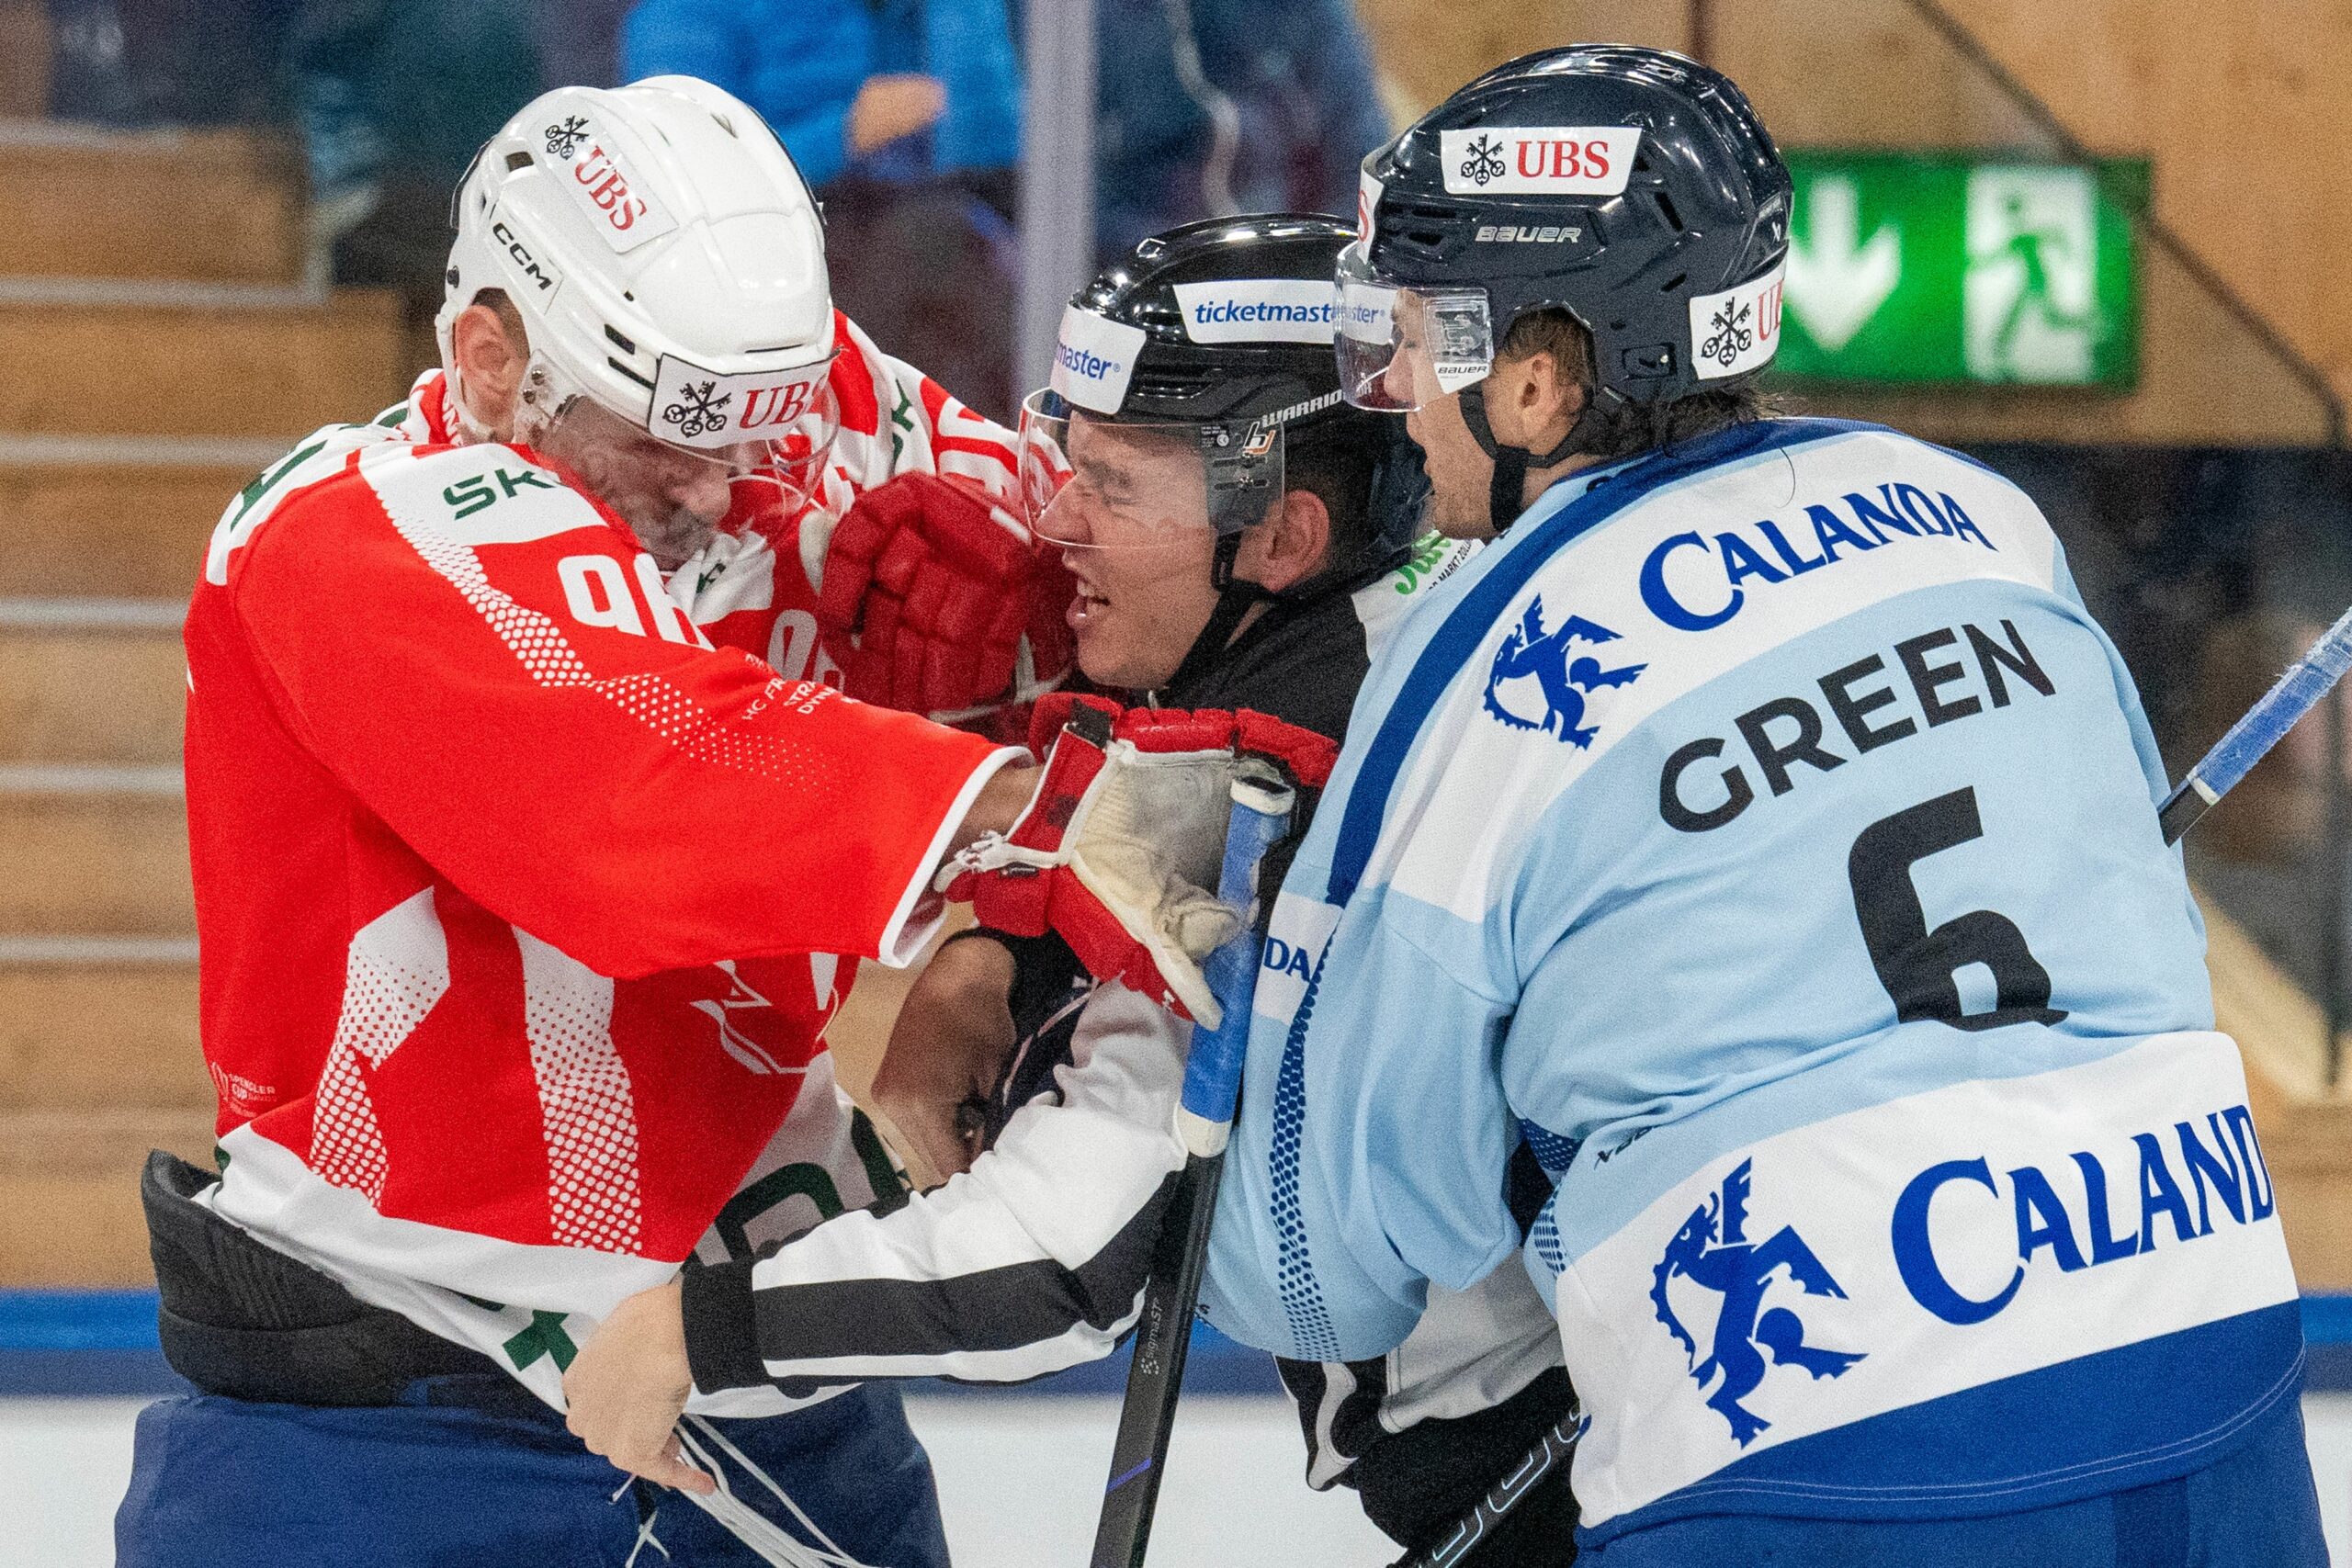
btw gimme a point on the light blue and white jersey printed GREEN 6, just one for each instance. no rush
(1768, 836)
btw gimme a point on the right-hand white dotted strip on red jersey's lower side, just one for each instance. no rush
(587, 1106)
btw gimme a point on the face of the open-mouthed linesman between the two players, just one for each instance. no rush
(1135, 528)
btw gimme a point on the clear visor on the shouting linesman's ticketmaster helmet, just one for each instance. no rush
(1135, 485)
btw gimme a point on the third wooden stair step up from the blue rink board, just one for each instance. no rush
(93, 852)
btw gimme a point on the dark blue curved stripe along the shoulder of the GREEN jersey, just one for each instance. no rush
(1448, 652)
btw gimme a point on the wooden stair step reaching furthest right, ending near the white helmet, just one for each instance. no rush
(241, 366)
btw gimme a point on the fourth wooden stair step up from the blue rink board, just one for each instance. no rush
(91, 681)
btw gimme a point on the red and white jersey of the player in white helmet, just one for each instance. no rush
(519, 894)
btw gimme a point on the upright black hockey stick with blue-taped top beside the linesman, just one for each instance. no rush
(1262, 815)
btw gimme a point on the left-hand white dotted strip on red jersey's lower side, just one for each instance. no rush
(396, 972)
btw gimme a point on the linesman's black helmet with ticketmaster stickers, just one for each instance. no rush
(1220, 335)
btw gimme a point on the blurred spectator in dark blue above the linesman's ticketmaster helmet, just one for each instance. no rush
(1217, 107)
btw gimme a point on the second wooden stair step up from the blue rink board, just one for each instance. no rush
(91, 1024)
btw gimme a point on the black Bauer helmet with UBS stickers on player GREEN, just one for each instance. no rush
(1633, 189)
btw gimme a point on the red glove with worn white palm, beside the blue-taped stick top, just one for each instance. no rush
(1121, 847)
